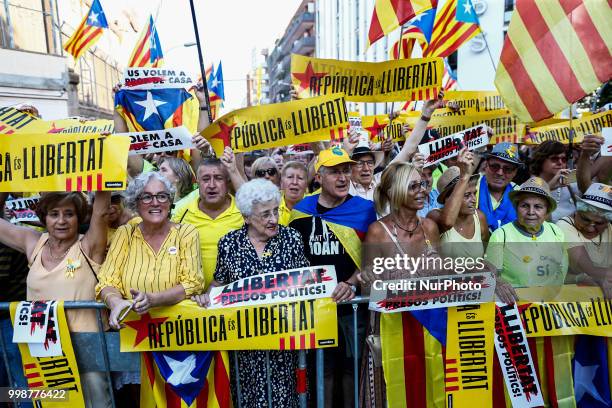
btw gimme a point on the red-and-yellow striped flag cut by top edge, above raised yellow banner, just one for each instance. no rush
(388, 15)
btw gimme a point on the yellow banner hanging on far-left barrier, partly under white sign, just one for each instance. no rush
(57, 378)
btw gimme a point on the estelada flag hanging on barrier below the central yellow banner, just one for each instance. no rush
(185, 379)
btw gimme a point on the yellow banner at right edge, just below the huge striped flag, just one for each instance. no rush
(590, 124)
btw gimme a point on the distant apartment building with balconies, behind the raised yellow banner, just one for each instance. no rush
(299, 38)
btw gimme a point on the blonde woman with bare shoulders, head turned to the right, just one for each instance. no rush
(400, 194)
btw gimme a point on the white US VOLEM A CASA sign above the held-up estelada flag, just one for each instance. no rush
(156, 78)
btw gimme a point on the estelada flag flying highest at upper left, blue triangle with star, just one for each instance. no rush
(88, 32)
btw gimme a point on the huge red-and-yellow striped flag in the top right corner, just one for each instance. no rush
(556, 52)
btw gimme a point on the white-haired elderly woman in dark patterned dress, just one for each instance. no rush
(260, 246)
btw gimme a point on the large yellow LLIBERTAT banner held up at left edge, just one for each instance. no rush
(43, 162)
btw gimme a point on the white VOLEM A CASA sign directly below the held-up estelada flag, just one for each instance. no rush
(155, 141)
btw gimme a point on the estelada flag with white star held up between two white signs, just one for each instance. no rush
(156, 109)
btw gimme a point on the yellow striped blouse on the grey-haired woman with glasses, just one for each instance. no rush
(131, 263)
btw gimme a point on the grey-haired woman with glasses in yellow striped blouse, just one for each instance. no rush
(155, 262)
